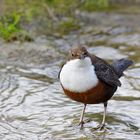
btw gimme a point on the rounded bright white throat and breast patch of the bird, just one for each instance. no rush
(78, 75)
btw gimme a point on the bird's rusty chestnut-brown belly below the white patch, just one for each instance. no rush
(99, 94)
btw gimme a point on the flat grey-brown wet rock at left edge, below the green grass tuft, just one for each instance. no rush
(28, 54)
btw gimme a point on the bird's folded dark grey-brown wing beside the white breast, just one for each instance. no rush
(105, 72)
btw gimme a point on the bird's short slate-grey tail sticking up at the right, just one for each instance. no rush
(120, 65)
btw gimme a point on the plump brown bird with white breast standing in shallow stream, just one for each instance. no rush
(89, 79)
